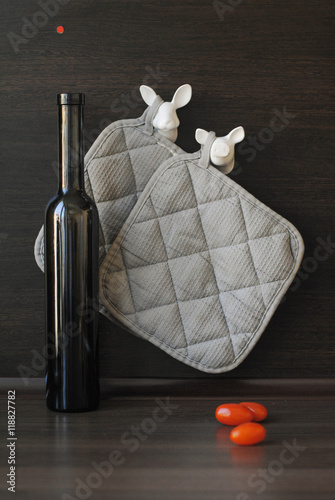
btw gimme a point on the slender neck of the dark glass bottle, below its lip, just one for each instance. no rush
(71, 159)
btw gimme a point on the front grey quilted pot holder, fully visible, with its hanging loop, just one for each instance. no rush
(200, 265)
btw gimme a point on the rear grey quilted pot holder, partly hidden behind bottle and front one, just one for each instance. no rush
(117, 168)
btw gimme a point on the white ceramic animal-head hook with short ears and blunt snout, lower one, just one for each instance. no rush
(223, 148)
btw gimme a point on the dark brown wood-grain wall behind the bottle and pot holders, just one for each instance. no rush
(247, 61)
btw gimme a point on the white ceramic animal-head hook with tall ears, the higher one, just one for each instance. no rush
(166, 121)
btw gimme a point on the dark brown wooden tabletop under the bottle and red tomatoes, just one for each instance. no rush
(177, 453)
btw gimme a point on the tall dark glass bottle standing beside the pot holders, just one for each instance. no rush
(71, 238)
